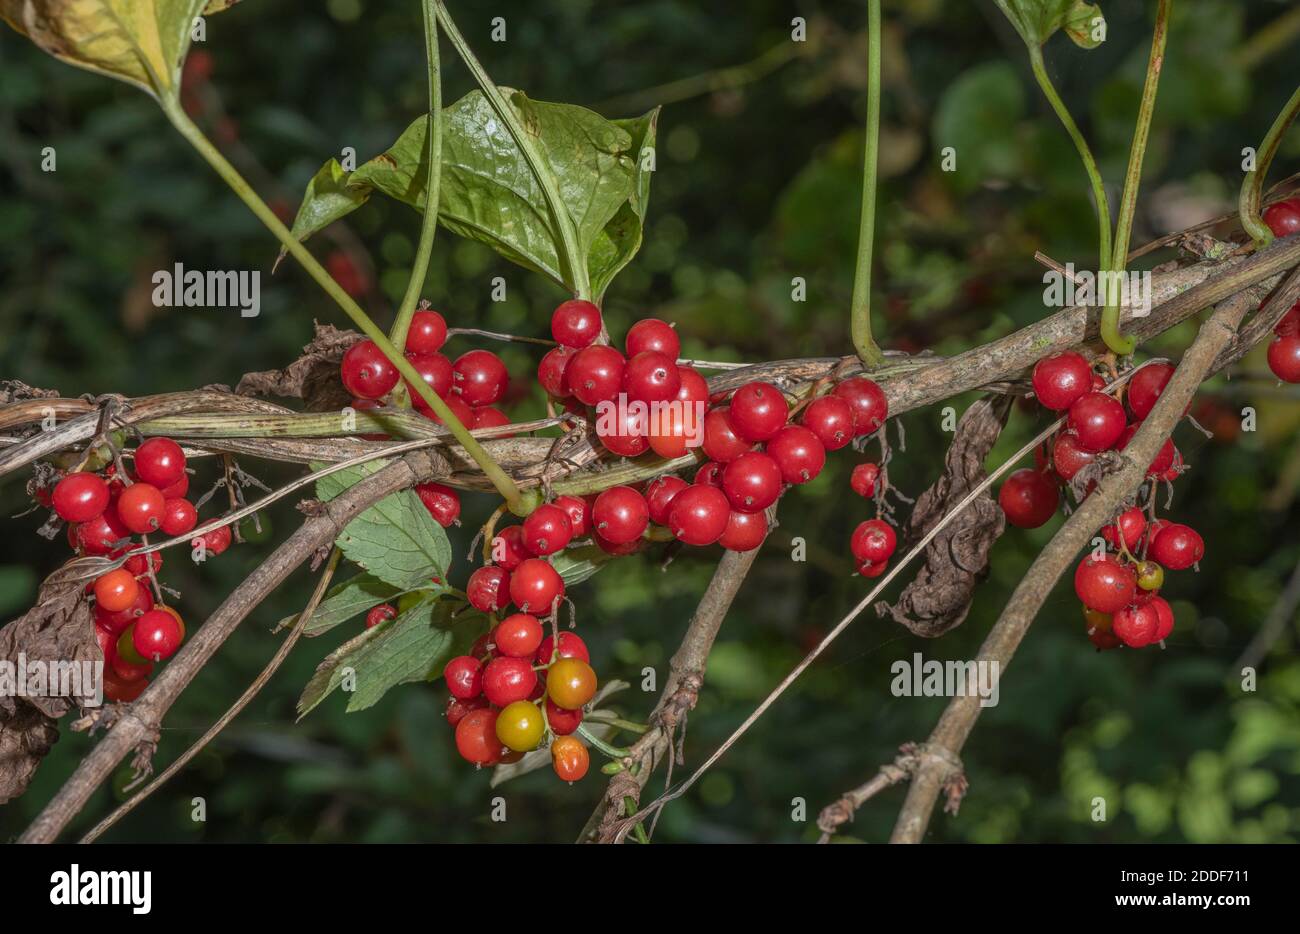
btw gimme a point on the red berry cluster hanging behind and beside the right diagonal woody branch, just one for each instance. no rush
(1120, 589)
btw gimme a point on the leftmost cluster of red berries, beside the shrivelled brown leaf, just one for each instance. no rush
(103, 512)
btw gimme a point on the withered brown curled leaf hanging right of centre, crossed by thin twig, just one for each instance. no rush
(939, 598)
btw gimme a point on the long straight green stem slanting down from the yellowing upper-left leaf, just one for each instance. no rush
(232, 178)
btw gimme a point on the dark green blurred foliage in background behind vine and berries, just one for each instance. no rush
(757, 183)
